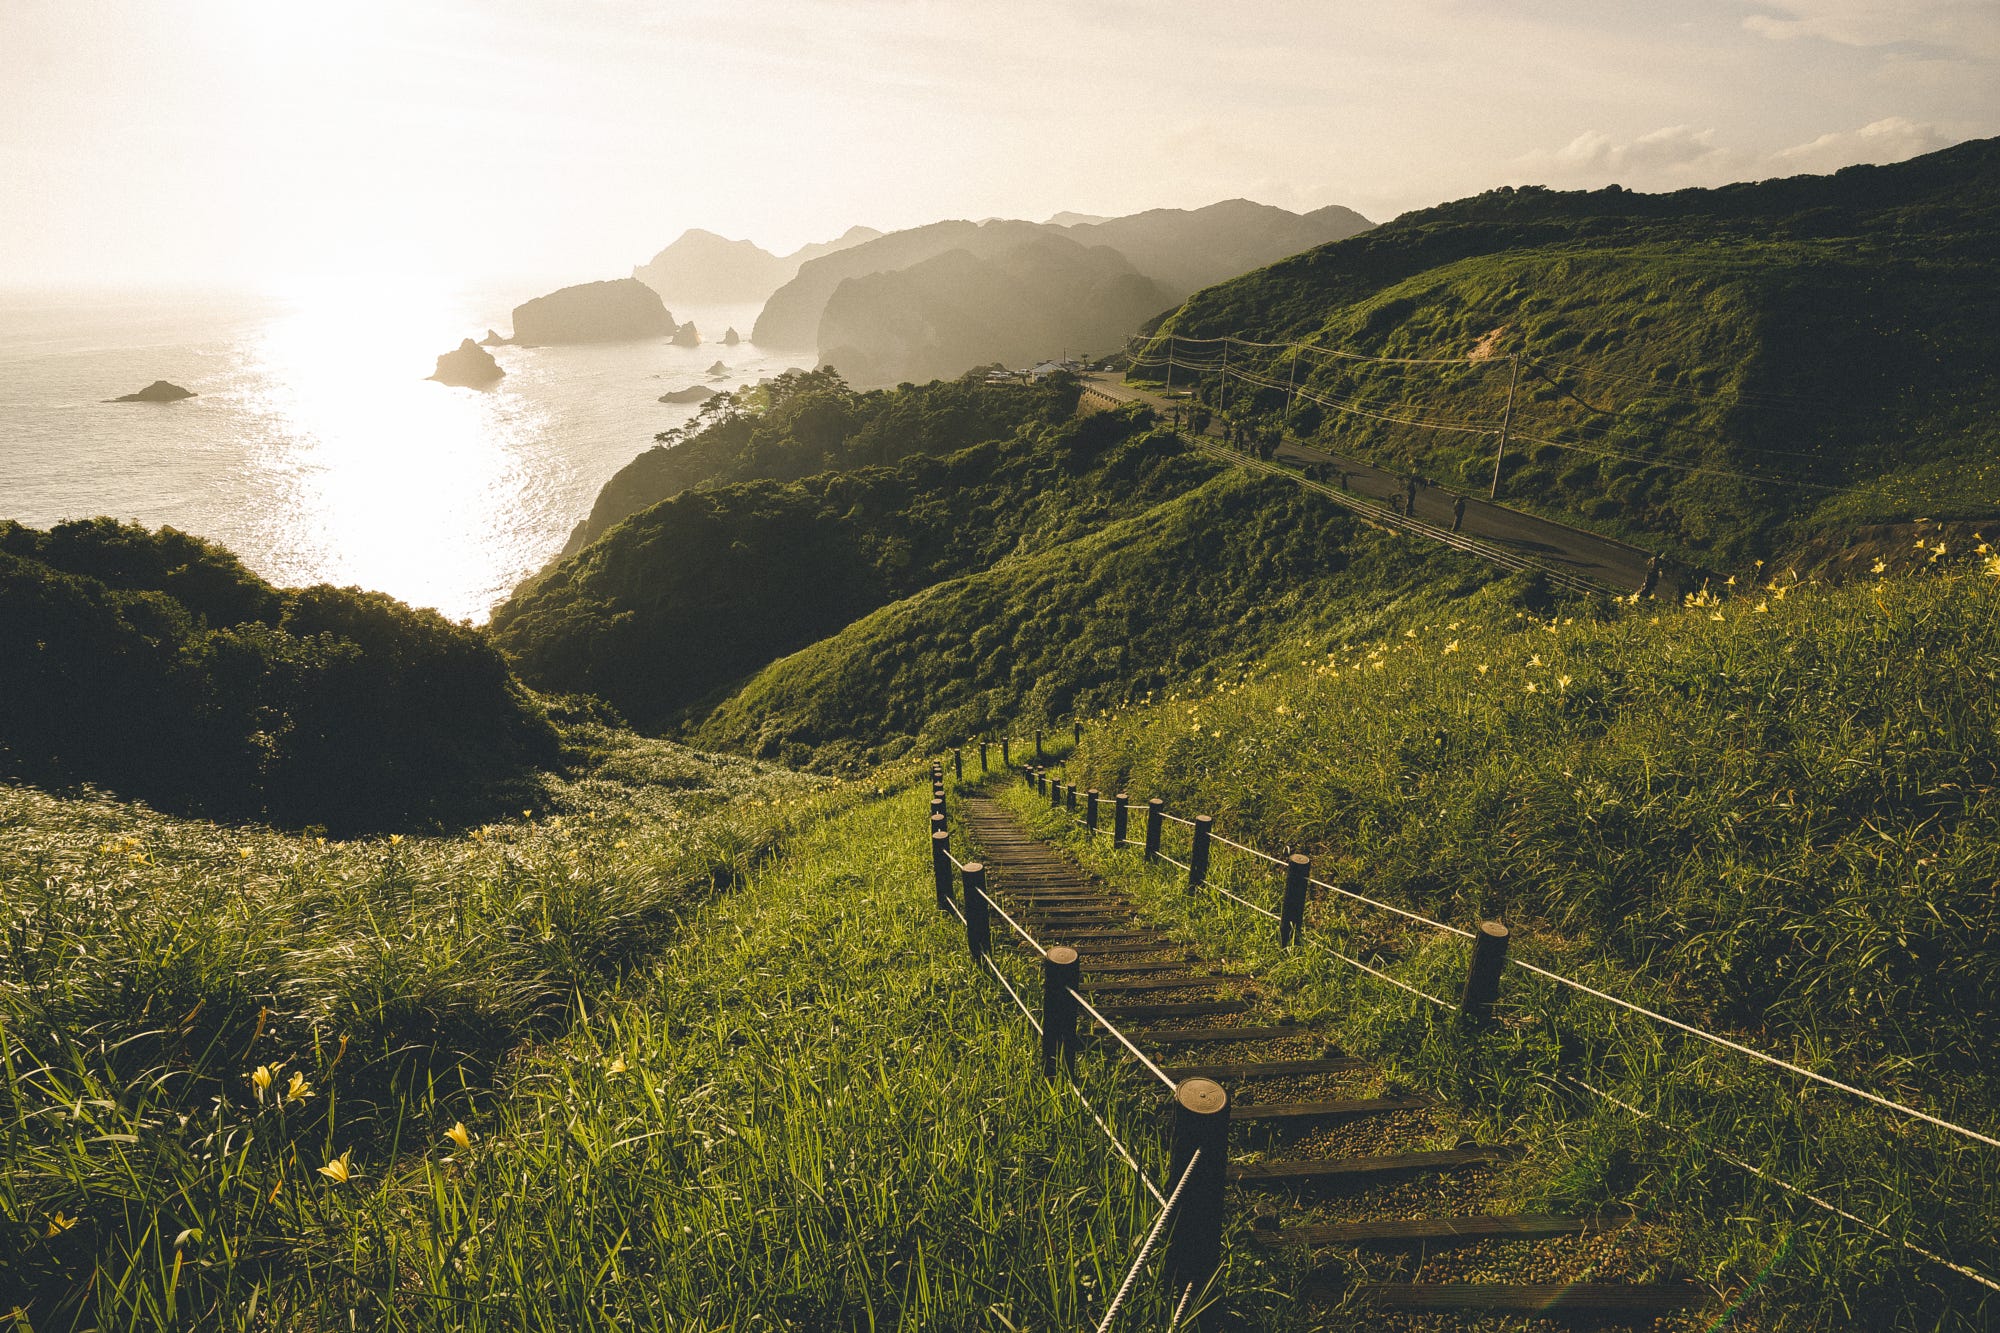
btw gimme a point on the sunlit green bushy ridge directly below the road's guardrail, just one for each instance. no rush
(1177, 593)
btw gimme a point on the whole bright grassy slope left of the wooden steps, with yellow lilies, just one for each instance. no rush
(793, 1108)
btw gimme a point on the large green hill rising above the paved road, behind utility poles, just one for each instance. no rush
(1717, 371)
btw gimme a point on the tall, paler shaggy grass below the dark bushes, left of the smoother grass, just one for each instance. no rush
(151, 964)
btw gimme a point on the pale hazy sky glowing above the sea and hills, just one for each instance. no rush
(257, 141)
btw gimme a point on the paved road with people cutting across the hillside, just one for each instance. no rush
(1527, 537)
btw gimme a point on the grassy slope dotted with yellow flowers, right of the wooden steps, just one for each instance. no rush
(1773, 818)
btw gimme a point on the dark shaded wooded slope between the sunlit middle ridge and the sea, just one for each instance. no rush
(713, 585)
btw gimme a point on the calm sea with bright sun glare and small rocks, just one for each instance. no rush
(317, 449)
